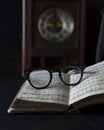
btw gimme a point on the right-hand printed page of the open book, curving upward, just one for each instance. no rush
(91, 84)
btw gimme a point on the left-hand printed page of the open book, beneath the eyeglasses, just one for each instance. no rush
(56, 92)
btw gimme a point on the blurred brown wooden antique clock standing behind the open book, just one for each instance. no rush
(53, 33)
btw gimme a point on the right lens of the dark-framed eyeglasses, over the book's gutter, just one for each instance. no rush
(71, 75)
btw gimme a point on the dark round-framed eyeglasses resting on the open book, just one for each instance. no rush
(41, 78)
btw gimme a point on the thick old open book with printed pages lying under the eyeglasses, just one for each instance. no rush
(58, 97)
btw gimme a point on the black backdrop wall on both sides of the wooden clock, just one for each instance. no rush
(11, 34)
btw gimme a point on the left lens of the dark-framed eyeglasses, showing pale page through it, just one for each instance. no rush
(39, 78)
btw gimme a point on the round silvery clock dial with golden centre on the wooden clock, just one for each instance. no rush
(55, 25)
